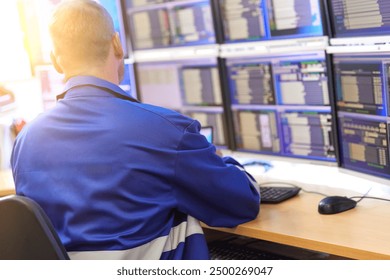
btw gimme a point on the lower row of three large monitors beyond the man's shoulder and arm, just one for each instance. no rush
(308, 105)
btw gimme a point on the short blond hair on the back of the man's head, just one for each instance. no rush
(81, 33)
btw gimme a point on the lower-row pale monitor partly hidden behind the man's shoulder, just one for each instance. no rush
(190, 86)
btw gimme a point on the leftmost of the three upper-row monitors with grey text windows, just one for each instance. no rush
(170, 24)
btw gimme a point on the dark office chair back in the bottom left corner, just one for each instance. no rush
(26, 232)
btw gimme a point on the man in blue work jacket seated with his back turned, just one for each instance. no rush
(120, 179)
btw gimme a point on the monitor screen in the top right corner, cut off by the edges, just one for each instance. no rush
(359, 18)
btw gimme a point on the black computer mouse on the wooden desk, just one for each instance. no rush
(335, 204)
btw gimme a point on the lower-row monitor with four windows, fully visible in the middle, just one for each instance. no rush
(281, 105)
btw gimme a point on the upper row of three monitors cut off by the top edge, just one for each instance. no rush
(162, 23)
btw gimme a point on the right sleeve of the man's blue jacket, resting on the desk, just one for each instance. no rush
(215, 190)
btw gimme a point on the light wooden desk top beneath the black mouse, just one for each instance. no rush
(360, 233)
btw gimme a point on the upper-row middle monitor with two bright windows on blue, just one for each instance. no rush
(259, 20)
